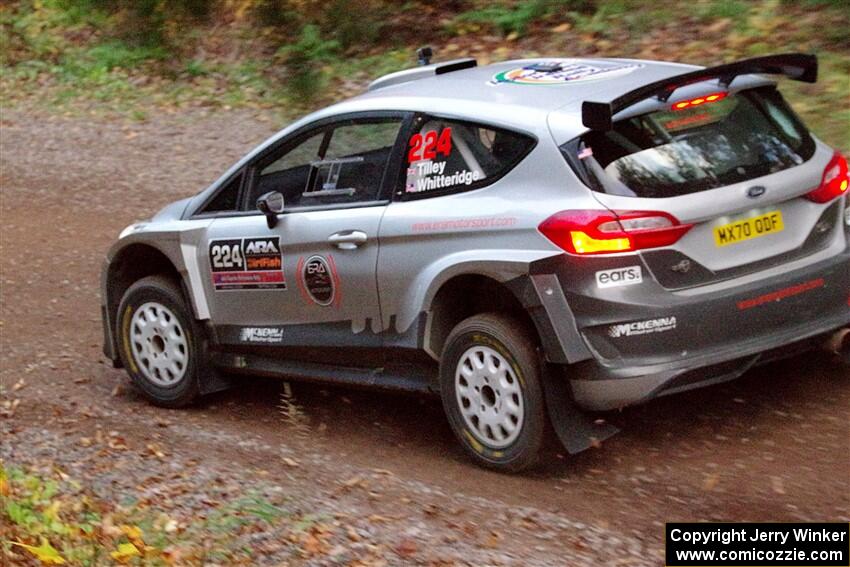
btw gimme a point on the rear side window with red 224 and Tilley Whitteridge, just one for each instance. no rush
(446, 156)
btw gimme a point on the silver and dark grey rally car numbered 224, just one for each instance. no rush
(532, 240)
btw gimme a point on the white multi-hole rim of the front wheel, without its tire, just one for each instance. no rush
(159, 343)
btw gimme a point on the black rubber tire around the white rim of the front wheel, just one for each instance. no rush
(164, 291)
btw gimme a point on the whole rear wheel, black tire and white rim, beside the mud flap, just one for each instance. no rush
(491, 389)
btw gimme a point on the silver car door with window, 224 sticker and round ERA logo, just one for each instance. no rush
(310, 280)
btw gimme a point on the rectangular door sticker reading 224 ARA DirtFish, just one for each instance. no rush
(247, 263)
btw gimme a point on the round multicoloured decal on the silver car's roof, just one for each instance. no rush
(561, 72)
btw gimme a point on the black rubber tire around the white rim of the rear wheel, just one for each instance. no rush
(516, 345)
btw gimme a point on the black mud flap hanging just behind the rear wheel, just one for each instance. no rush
(575, 429)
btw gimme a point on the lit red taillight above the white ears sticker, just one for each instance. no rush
(606, 232)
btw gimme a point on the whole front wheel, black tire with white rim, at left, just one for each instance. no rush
(159, 341)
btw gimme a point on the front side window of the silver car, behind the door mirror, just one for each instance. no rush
(344, 163)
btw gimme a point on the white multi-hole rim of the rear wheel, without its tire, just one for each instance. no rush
(489, 396)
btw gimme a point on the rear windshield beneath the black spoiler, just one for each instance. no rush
(678, 152)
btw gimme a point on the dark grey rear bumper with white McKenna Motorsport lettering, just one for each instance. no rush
(655, 343)
